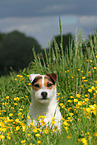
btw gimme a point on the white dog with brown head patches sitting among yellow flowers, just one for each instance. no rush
(44, 99)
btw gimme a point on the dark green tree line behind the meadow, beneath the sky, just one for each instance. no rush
(16, 49)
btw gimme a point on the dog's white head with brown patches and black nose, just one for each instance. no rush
(43, 86)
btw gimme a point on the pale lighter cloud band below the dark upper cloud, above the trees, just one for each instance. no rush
(44, 28)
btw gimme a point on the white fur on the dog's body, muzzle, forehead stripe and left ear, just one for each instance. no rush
(48, 107)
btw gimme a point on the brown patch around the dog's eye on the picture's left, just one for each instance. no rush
(37, 83)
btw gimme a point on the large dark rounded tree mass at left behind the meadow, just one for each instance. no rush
(16, 51)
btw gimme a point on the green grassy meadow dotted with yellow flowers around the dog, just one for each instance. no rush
(76, 94)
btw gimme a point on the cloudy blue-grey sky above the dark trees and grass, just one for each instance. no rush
(40, 18)
